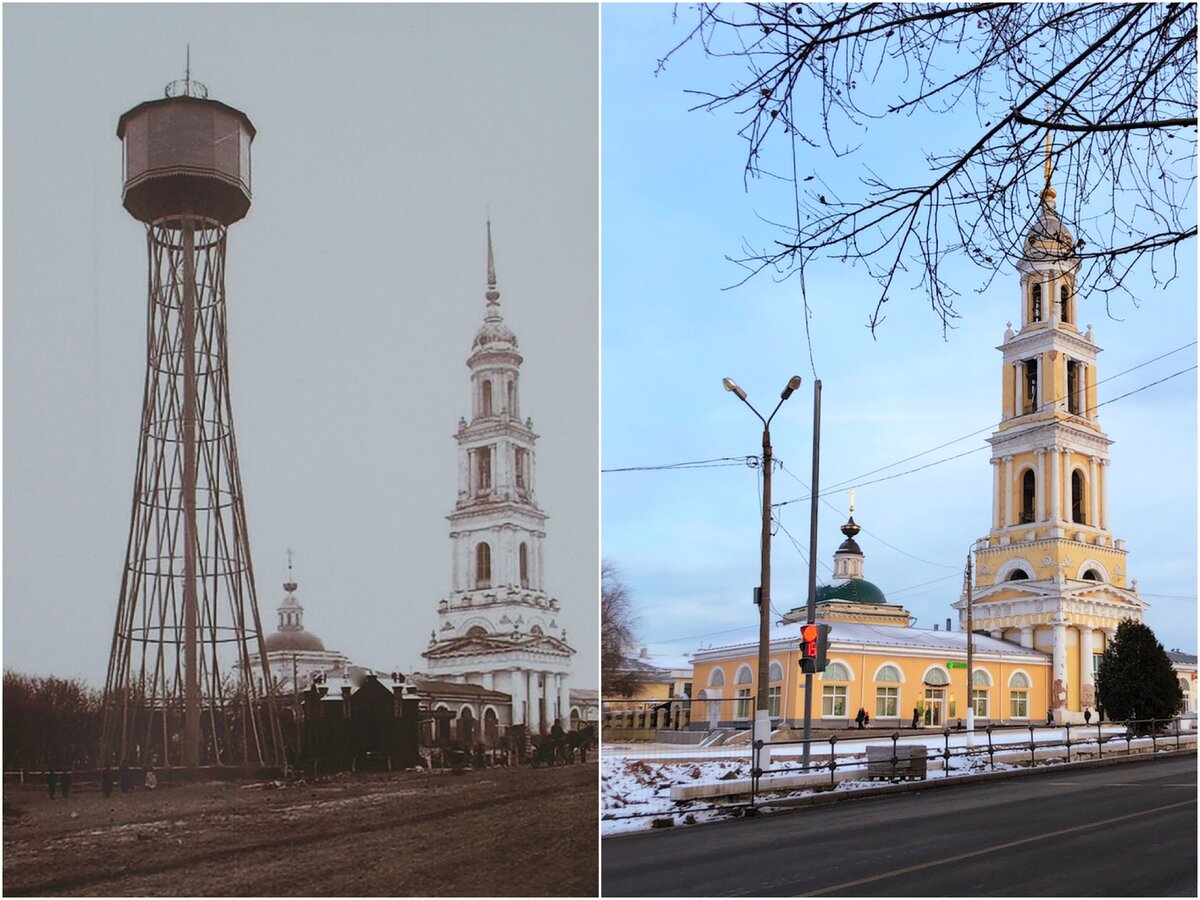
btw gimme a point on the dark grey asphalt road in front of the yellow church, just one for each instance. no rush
(1126, 830)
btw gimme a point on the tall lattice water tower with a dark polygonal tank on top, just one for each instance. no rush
(188, 614)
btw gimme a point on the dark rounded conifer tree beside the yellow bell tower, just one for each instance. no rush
(1136, 680)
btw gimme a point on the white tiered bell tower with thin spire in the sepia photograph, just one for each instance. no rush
(499, 627)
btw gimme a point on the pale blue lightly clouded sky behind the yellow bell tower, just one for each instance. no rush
(687, 542)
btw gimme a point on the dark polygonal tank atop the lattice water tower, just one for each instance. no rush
(187, 157)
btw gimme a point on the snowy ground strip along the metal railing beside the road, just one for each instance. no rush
(637, 779)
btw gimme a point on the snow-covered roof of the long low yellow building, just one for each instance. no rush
(883, 637)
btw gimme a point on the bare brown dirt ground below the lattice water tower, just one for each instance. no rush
(517, 832)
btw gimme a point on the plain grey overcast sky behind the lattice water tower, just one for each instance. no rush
(356, 286)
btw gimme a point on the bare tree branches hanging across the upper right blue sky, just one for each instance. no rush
(1115, 86)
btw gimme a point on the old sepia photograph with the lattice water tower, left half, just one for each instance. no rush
(302, 449)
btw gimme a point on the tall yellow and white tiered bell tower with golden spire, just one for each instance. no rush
(1049, 574)
